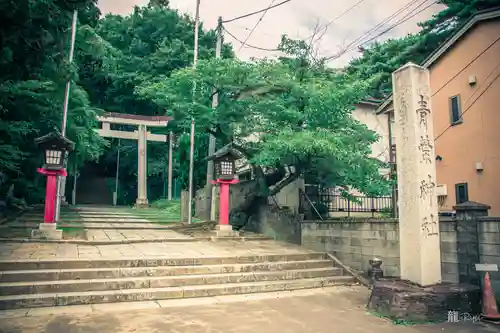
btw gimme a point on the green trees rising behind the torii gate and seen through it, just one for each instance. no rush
(153, 41)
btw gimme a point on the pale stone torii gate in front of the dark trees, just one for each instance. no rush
(142, 136)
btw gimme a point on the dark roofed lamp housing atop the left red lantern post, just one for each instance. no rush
(54, 147)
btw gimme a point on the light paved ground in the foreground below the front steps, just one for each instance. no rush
(332, 310)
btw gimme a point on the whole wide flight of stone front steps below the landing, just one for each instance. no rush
(41, 283)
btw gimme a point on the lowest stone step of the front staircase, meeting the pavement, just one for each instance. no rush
(148, 294)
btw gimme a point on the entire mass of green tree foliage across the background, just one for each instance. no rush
(289, 116)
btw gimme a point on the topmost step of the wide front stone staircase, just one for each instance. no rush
(33, 264)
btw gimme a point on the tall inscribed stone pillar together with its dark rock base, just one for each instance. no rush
(418, 295)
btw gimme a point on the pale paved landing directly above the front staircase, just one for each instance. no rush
(17, 251)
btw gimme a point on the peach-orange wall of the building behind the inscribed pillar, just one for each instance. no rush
(477, 138)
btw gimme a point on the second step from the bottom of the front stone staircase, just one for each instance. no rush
(44, 287)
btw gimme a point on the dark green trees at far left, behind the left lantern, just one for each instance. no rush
(33, 55)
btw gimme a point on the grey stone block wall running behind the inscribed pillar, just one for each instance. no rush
(355, 241)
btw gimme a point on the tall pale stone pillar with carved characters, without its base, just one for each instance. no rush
(416, 172)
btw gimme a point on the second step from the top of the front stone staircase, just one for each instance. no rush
(160, 271)
